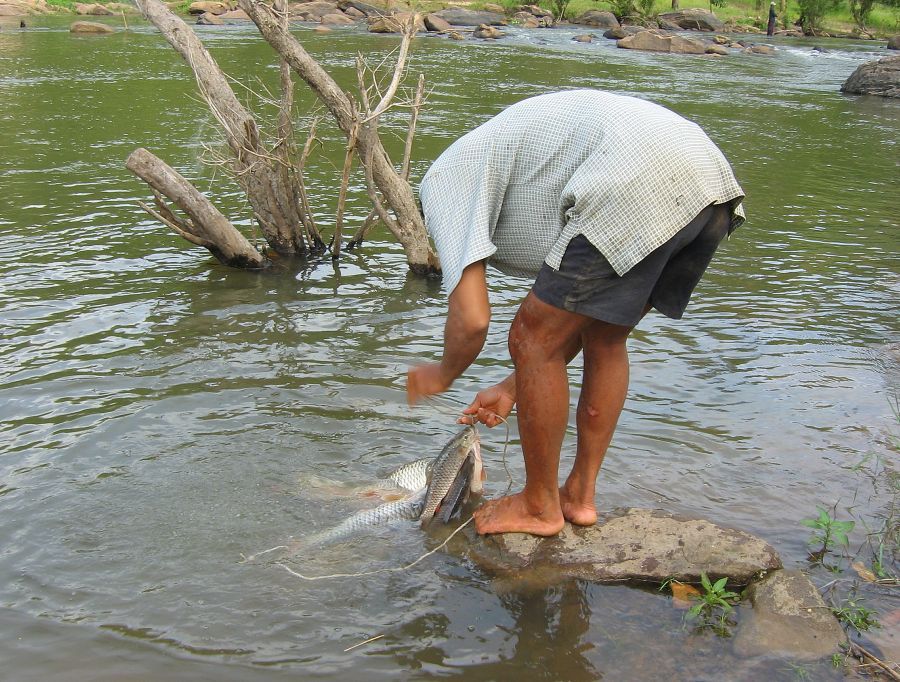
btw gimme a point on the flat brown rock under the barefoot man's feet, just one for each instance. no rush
(632, 545)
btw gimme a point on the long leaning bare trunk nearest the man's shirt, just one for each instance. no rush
(407, 223)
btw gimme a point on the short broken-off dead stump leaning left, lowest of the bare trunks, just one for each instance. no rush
(205, 225)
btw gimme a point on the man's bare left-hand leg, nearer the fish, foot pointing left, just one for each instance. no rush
(541, 341)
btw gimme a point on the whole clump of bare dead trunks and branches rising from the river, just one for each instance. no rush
(272, 175)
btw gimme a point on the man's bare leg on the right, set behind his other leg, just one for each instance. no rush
(603, 391)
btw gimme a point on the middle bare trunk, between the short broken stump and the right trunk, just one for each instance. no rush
(267, 178)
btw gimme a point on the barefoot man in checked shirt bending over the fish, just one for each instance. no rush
(616, 205)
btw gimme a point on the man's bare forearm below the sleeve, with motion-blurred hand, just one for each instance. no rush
(465, 331)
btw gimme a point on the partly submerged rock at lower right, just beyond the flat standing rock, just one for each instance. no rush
(789, 619)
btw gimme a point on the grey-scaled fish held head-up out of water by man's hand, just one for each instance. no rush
(462, 448)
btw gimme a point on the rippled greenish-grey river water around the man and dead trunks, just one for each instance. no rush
(163, 416)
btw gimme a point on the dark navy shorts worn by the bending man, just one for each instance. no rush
(587, 284)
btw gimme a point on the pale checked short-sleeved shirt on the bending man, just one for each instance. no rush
(626, 173)
